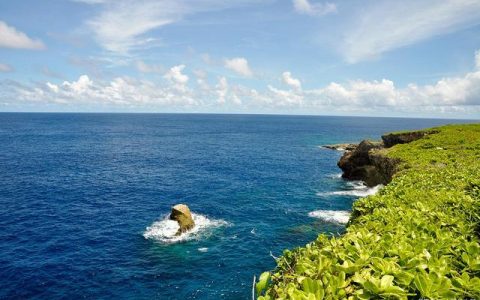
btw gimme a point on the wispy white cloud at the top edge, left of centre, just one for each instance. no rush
(122, 25)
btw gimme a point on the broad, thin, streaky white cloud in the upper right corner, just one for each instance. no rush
(389, 25)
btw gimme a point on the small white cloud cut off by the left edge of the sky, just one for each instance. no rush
(12, 38)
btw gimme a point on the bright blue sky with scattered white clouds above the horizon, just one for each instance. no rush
(405, 58)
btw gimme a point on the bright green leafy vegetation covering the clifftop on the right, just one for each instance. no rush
(417, 238)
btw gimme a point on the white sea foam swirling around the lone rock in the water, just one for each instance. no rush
(165, 230)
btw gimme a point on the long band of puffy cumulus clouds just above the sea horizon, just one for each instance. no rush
(448, 95)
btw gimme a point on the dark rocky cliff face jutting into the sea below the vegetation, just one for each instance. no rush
(367, 162)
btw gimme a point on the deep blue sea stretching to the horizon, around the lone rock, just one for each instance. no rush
(84, 198)
